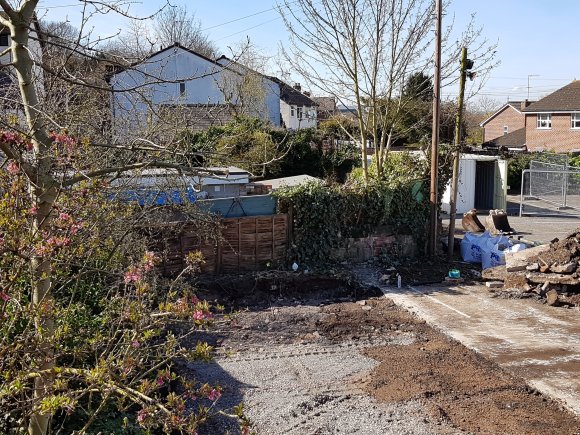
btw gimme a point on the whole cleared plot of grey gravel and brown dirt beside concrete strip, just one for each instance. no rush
(285, 346)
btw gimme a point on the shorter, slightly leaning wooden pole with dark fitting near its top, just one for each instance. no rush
(455, 177)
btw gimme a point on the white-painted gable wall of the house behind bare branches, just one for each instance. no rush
(175, 77)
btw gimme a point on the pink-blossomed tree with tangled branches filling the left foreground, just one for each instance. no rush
(84, 319)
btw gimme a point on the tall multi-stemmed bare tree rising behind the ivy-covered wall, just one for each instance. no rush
(360, 52)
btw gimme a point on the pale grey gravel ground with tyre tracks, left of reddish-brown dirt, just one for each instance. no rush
(311, 383)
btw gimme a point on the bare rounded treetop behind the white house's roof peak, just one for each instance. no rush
(177, 24)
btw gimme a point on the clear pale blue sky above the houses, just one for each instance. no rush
(535, 38)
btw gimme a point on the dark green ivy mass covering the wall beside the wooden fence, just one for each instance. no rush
(326, 215)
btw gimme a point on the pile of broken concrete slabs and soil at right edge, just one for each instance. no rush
(550, 271)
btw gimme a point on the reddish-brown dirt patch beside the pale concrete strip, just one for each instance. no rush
(464, 389)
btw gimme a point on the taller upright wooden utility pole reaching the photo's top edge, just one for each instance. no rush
(433, 192)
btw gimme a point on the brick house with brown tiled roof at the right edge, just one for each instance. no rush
(553, 123)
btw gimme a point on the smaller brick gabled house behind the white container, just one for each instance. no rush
(506, 120)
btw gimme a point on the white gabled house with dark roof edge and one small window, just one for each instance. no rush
(180, 87)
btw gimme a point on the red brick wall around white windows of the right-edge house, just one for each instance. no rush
(560, 138)
